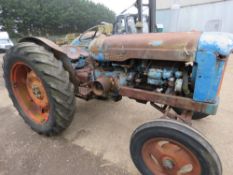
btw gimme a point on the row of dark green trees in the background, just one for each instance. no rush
(42, 17)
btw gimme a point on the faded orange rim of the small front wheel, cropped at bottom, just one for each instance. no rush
(168, 157)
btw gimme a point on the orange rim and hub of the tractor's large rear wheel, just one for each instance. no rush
(30, 93)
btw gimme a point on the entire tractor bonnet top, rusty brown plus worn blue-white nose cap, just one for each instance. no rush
(160, 46)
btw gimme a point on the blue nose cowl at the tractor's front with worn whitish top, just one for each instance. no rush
(211, 59)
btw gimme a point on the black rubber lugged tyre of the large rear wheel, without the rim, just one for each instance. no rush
(56, 79)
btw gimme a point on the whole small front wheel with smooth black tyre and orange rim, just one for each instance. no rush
(166, 147)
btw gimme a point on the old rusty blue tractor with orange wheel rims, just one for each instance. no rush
(179, 74)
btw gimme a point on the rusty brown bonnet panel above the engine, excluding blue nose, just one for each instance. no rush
(155, 46)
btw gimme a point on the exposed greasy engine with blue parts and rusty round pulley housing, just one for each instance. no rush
(104, 79)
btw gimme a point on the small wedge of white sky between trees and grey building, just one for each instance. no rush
(116, 5)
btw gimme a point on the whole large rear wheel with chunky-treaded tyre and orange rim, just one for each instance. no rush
(39, 87)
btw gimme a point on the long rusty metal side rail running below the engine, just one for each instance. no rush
(174, 101)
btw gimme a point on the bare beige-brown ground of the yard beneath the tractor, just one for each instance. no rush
(97, 141)
